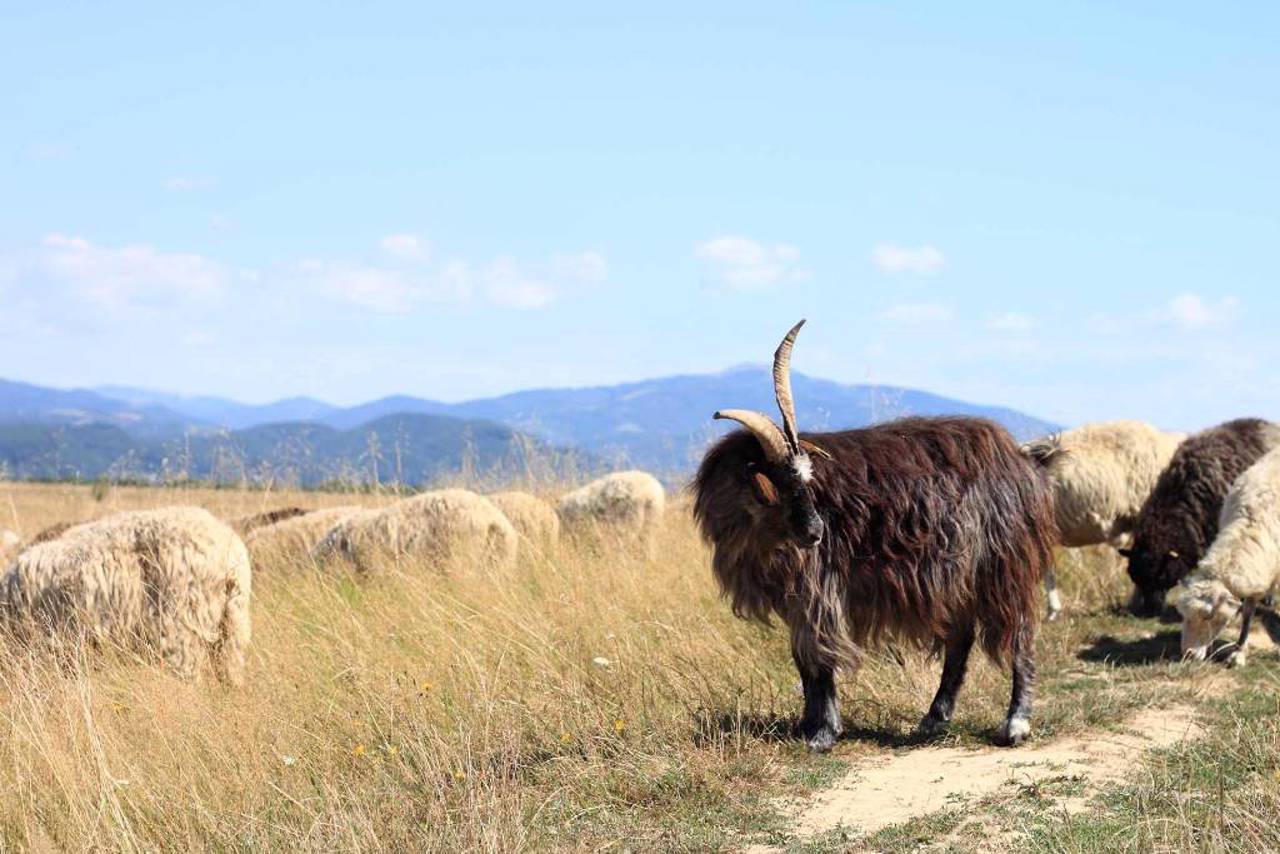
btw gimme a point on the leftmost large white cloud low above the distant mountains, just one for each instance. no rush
(130, 275)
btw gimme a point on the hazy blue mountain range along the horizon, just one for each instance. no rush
(661, 424)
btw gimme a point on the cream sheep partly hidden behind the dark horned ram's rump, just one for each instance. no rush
(1101, 474)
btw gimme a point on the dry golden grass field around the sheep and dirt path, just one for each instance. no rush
(584, 700)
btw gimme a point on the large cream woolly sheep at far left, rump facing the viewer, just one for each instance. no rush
(175, 581)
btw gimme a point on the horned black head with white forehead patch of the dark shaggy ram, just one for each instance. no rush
(775, 488)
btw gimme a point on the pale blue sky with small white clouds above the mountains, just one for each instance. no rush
(1071, 211)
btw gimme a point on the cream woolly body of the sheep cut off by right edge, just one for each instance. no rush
(1246, 554)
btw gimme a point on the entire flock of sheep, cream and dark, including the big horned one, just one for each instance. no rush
(935, 531)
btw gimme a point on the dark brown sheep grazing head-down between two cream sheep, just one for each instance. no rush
(1180, 519)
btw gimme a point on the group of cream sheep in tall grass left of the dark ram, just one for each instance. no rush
(176, 583)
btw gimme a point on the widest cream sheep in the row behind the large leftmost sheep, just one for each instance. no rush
(445, 526)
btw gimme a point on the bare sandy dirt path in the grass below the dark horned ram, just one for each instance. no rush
(899, 788)
